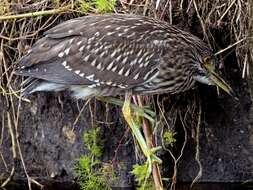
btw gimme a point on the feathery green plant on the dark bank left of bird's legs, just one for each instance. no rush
(90, 171)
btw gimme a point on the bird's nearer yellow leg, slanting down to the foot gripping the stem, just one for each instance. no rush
(148, 152)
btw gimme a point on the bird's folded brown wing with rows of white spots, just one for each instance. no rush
(103, 46)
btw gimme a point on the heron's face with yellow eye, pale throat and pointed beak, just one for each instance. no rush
(206, 73)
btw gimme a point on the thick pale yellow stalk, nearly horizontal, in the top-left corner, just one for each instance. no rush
(35, 14)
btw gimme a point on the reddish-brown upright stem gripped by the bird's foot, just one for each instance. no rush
(149, 139)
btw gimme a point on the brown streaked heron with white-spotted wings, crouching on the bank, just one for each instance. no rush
(108, 55)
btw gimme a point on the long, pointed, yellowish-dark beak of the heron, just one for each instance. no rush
(218, 81)
